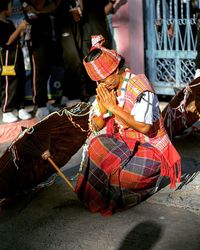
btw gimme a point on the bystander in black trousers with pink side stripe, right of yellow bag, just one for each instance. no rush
(41, 48)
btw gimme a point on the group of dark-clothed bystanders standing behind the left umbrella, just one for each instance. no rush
(56, 35)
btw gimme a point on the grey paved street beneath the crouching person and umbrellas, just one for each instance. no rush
(52, 218)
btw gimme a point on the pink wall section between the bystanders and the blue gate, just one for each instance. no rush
(128, 32)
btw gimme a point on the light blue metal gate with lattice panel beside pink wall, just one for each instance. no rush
(171, 39)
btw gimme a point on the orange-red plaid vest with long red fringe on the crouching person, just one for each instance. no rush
(157, 136)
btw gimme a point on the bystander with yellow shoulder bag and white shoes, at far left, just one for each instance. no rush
(12, 87)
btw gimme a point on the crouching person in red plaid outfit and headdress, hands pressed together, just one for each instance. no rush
(122, 166)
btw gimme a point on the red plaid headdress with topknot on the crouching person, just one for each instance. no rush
(105, 64)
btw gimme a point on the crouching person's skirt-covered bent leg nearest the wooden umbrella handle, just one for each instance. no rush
(101, 165)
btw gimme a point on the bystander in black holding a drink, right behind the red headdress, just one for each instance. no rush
(77, 21)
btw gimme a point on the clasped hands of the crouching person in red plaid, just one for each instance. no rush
(106, 99)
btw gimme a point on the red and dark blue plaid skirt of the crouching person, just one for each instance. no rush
(117, 176)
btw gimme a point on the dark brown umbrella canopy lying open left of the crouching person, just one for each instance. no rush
(61, 134)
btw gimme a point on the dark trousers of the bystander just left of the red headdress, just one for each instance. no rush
(77, 83)
